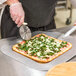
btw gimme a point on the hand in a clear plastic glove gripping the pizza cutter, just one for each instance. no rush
(17, 13)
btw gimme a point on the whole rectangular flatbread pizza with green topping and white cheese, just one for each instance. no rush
(42, 48)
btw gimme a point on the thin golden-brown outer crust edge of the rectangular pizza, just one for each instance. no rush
(42, 60)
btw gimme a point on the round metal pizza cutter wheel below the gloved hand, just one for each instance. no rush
(24, 31)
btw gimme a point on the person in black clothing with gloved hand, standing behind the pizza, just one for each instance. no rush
(39, 14)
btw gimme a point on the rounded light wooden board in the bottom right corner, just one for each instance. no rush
(64, 69)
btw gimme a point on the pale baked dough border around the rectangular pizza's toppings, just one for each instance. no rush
(63, 50)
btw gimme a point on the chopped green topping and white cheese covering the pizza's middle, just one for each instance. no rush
(42, 46)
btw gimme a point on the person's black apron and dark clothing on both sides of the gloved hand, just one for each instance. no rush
(39, 16)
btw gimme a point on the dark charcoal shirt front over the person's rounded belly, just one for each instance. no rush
(39, 12)
